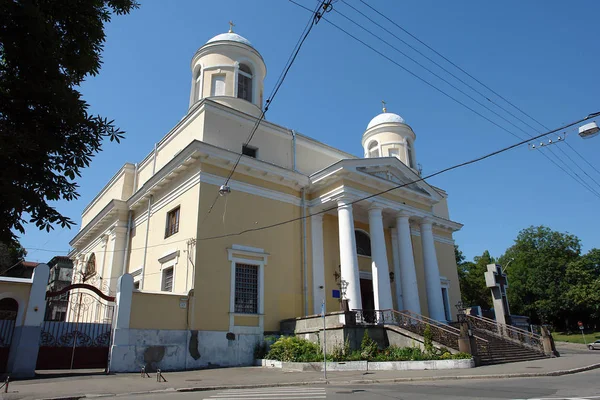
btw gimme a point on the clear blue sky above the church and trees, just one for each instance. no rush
(541, 55)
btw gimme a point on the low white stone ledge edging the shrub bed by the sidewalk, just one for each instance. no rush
(369, 365)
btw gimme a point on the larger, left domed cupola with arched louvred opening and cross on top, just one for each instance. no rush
(229, 70)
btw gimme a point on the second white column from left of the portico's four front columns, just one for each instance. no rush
(379, 264)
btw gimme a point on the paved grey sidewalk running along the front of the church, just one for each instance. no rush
(573, 359)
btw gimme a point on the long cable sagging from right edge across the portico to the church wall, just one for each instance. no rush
(475, 160)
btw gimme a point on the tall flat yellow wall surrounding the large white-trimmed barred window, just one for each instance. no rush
(283, 274)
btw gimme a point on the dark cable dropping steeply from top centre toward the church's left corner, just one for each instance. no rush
(324, 6)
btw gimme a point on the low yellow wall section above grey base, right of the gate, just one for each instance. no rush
(157, 311)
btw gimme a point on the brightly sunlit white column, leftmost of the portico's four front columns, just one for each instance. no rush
(348, 257)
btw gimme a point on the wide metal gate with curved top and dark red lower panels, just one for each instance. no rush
(76, 333)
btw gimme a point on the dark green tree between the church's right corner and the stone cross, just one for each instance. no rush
(471, 276)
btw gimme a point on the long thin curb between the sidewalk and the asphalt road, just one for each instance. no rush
(335, 382)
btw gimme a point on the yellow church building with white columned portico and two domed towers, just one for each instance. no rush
(296, 224)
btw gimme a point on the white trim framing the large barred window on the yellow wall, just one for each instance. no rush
(242, 254)
